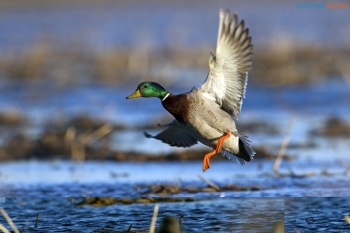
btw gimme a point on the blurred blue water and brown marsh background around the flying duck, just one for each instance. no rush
(67, 66)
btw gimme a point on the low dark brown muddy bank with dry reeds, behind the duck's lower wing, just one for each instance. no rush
(52, 145)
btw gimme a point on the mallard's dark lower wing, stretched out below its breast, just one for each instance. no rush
(175, 135)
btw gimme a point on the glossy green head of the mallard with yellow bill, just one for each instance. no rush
(149, 89)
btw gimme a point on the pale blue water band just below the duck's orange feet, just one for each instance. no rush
(65, 178)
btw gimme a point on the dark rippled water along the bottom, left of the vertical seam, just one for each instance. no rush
(219, 215)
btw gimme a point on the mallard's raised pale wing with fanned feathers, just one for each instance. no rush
(228, 75)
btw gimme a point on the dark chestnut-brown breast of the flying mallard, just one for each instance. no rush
(178, 106)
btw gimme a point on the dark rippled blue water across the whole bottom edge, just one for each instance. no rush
(306, 214)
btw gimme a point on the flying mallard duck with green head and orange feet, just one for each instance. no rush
(206, 114)
